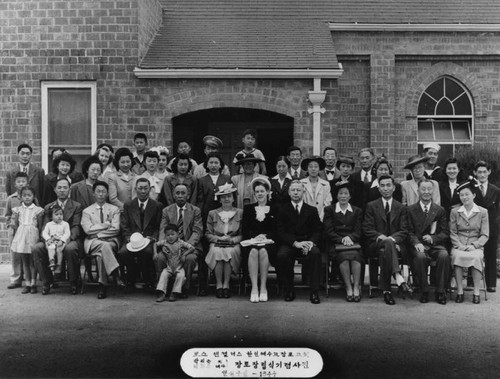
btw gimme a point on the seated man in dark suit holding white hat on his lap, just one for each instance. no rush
(140, 215)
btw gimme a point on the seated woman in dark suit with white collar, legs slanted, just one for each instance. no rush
(343, 230)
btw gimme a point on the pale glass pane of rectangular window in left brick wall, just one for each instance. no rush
(69, 118)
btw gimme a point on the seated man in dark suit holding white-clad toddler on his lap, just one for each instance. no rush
(72, 214)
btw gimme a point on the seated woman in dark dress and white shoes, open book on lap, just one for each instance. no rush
(259, 223)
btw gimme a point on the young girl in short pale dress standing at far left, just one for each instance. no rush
(27, 218)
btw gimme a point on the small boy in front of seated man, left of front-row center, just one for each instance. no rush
(175, 250)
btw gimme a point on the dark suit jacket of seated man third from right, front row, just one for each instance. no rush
(375, 223)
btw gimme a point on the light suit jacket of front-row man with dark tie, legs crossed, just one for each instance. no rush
(91, 224)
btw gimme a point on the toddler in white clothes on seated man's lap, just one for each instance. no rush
(56, 234)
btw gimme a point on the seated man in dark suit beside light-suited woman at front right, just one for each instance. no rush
(428, 233)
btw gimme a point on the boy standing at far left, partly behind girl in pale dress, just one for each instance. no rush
(13, 201)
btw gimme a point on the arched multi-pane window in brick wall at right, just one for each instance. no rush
(445, 116)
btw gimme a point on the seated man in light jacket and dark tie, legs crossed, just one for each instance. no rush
(101, 223)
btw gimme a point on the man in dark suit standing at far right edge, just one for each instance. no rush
(488, 197)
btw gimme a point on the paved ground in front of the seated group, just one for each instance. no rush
(128, 335)
